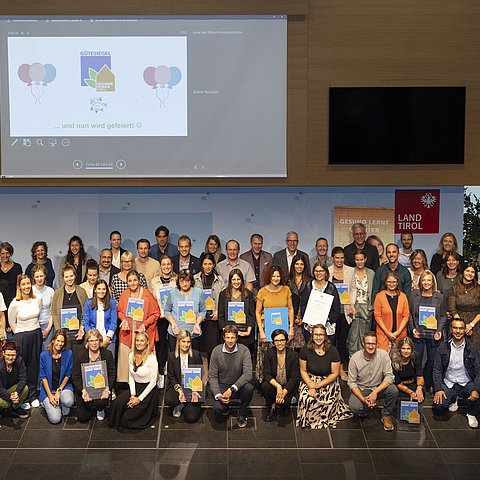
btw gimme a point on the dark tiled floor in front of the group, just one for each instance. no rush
(34, 450)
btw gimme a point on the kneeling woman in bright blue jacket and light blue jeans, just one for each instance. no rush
(56, 390)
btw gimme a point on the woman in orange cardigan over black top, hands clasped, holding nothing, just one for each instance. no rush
(391, 312)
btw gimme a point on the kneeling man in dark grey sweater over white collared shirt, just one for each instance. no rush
(230, 375)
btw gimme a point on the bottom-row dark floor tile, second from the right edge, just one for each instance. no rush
(407, 463)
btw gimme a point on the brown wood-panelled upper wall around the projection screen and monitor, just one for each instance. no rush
(333, 42)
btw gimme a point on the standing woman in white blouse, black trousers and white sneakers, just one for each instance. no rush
(23, 314)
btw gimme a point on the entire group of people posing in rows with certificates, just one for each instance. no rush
(153, 316)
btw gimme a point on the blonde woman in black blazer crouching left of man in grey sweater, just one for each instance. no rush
(183, 357)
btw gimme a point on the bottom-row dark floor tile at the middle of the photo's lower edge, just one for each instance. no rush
(263, 463)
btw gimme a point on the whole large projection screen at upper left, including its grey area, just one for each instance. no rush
(160, 97)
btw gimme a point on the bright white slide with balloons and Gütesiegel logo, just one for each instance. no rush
(97, 87)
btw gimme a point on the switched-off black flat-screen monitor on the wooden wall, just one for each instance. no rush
(396, 125)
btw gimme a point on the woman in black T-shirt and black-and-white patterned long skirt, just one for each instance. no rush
(320, 401)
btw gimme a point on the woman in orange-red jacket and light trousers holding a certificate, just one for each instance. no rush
(151, 312)
